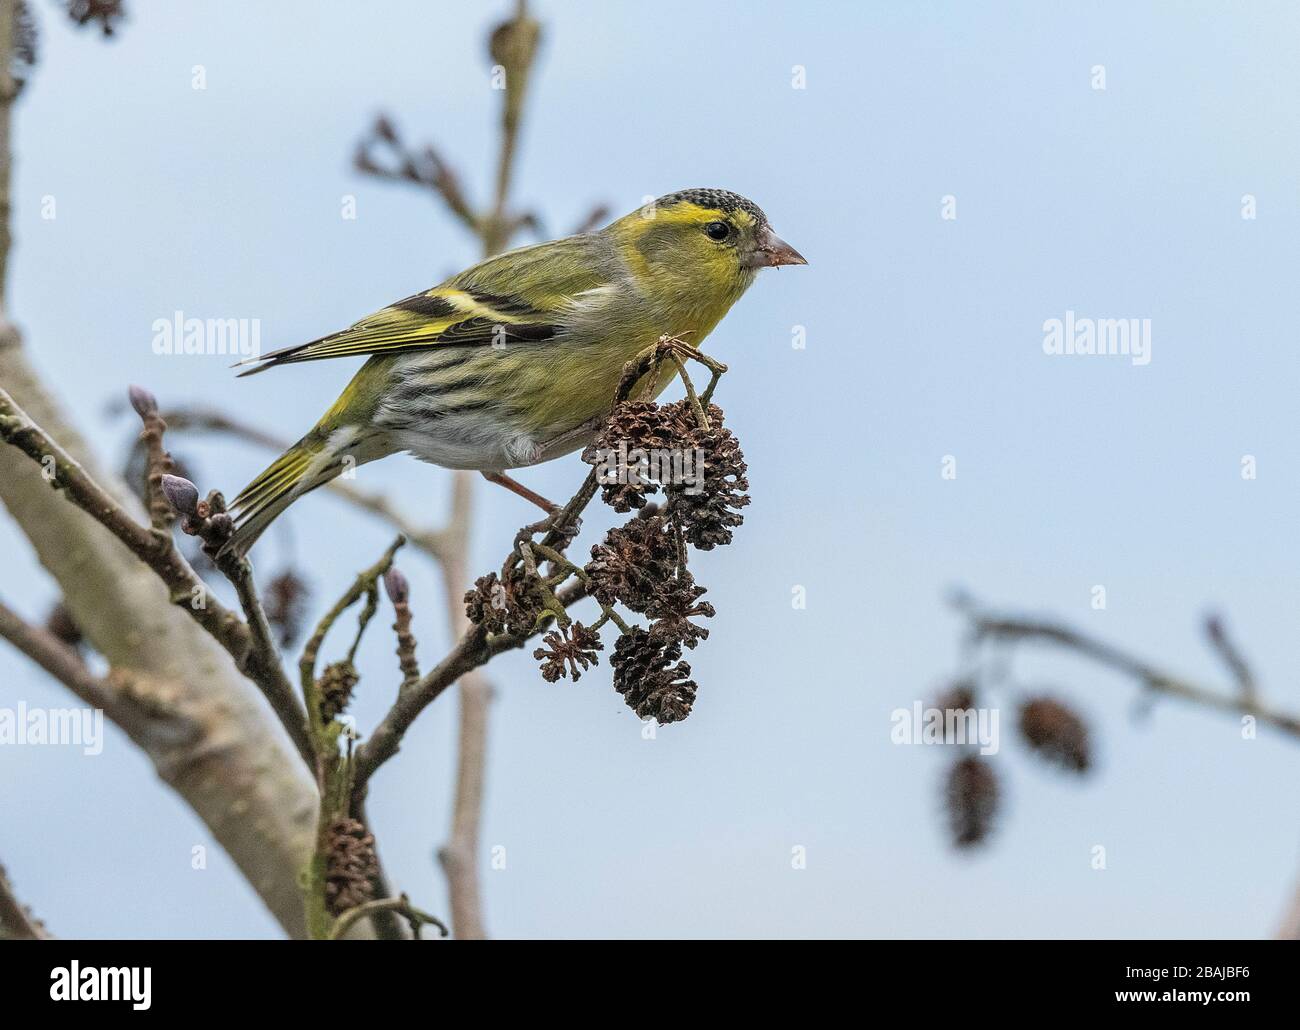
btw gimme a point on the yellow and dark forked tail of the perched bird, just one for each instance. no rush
(313, 462)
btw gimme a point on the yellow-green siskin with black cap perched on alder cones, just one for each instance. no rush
(515, 361)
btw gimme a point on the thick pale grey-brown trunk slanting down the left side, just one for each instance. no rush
(192, 712)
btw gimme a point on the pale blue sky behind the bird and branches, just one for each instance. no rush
(924, 340)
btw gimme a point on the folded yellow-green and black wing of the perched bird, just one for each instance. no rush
(518, 297)
